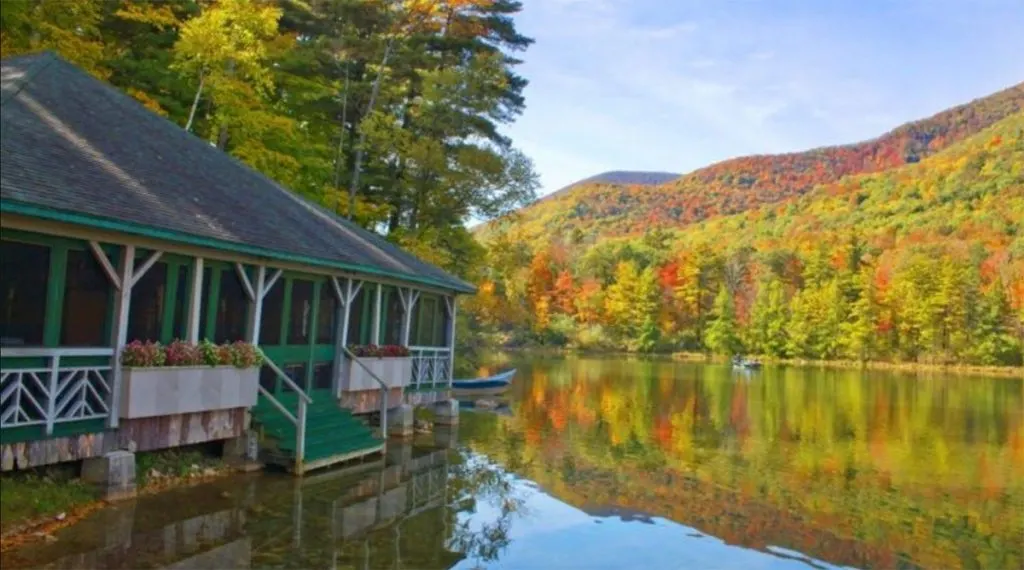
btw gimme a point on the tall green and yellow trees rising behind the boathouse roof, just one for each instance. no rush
(389, 110)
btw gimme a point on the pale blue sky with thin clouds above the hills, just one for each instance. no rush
(674, 85)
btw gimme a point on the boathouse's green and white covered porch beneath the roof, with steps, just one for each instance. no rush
(74, 298)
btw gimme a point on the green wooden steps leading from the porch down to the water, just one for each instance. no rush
(333, 434)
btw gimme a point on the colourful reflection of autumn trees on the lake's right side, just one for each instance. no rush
(925, 467)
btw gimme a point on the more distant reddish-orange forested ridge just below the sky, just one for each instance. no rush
(603, 209)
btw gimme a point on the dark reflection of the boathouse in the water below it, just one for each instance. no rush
(395, 513)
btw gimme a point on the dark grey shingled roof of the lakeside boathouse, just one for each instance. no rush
(75, 149)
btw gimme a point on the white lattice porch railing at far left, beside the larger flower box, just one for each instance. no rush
(55, 392)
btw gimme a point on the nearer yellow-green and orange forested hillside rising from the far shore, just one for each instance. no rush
(924, 262)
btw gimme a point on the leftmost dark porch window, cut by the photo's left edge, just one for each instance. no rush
(24, 276)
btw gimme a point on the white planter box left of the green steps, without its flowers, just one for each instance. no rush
(147, 392)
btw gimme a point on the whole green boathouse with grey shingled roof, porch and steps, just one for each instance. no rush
(120, 227)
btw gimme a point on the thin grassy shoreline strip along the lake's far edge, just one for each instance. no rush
(916, 368)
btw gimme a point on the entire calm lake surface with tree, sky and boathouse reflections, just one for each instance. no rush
(627, 464)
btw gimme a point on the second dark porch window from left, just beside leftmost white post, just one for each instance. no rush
(89, 294)
